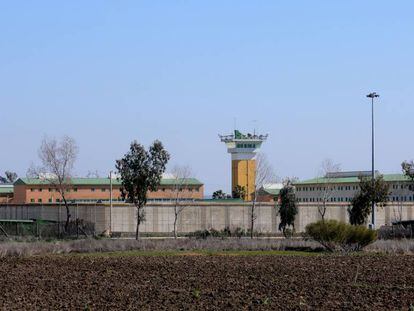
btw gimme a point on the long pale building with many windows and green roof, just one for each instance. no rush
(342, 187)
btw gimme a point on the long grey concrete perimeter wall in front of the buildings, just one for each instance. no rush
(196, 216)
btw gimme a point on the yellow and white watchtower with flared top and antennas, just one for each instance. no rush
(243, 149)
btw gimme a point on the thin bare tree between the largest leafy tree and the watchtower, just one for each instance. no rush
(181, 175)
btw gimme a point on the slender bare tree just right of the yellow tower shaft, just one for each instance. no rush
(264, 174)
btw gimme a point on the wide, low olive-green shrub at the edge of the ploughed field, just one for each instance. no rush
(335, 235)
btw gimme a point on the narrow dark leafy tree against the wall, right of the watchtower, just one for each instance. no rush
(287, 208)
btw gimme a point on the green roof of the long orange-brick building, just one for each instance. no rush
(101, 181)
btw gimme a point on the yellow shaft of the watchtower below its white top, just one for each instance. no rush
(244, 174)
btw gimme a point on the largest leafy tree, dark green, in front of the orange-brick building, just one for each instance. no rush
(141, 171)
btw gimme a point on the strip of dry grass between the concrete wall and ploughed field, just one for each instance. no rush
(197, 246)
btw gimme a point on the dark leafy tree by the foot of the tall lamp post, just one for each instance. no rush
(360, 207)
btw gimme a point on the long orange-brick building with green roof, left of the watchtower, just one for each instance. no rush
(92, 190)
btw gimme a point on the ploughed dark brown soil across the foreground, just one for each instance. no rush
(374, 282)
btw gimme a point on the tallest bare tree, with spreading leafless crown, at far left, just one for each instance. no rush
(57, 160)
